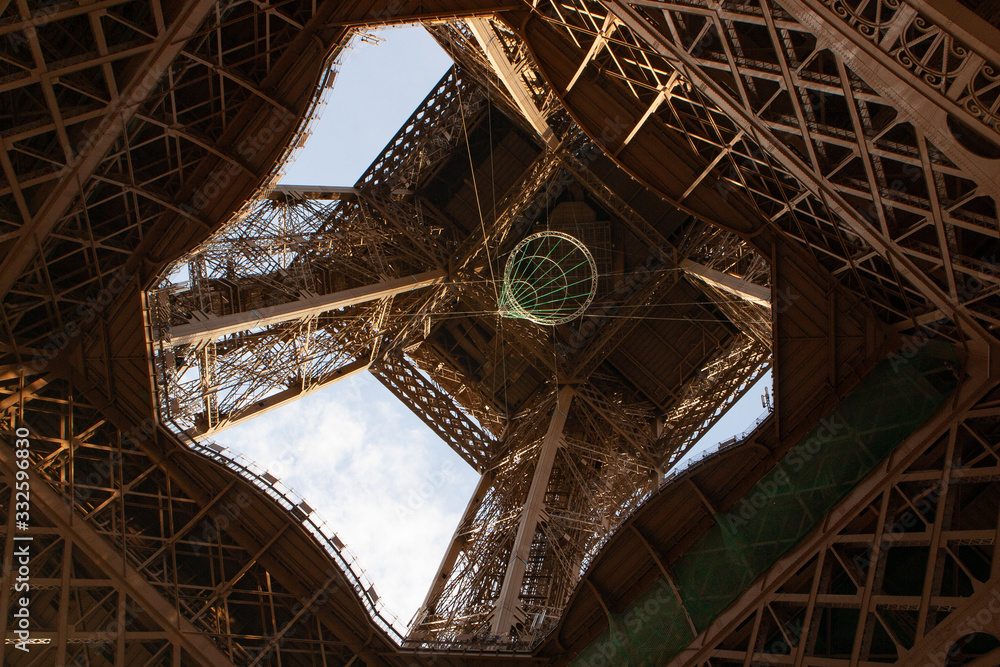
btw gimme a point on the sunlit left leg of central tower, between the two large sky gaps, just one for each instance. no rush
(286, 249)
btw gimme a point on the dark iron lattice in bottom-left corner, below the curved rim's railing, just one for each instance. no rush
(153, 551)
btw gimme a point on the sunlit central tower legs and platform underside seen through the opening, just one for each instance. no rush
(304, 288)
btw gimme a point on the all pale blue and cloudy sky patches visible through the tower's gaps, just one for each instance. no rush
(385, 482)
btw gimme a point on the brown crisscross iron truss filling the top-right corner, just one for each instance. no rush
(900, 212)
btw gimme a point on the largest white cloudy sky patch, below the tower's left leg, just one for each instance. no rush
(389, 486)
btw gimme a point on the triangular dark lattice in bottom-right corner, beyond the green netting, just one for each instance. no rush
(902, 565)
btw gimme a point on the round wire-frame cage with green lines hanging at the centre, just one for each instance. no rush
(550, 279)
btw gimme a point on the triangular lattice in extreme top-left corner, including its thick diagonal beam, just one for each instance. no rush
(126, 66)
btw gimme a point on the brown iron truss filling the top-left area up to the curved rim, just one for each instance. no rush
(137, 142)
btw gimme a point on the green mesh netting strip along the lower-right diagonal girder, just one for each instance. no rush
(788, 502)
